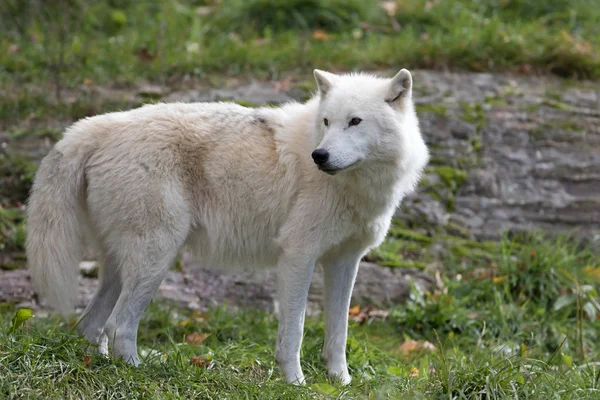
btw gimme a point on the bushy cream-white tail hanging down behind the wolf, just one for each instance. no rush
(54, 232)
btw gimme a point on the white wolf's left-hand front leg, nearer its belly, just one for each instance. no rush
(294, 274)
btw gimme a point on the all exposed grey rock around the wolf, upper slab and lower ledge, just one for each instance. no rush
(529, 147)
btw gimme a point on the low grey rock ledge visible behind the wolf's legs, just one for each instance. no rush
(200, 288)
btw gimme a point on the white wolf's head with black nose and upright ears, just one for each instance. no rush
(364, 120)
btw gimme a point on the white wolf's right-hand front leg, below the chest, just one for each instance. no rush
(339, 274)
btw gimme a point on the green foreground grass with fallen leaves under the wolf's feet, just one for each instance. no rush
(521, 325)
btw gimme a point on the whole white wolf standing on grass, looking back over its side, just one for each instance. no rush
(292, 186)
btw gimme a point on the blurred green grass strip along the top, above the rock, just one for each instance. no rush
(165, 40)
